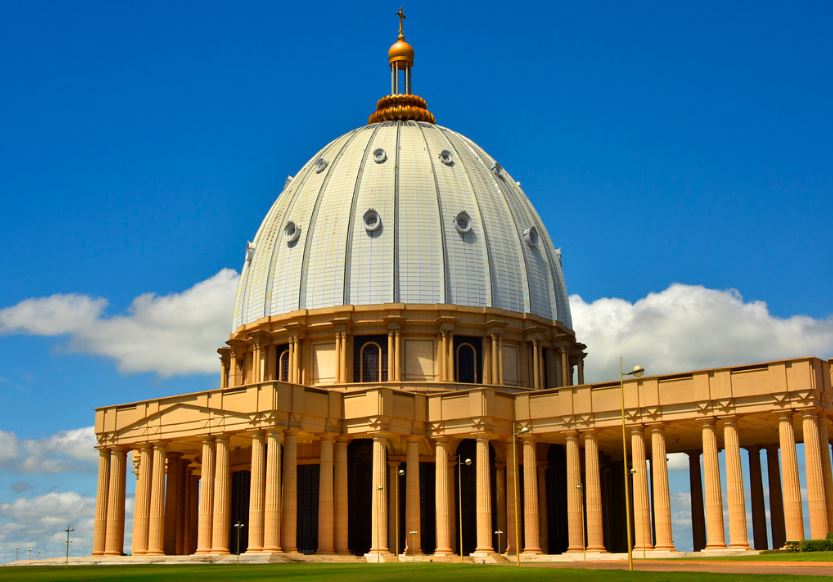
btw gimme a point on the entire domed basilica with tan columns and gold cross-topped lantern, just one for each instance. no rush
(402, 378)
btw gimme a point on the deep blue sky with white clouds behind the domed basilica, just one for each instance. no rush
(142, 144)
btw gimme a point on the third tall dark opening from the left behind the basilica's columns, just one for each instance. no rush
(359, 485)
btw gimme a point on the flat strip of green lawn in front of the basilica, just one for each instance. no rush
(349, 573)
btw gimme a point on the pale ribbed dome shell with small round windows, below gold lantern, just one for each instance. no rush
(401, 212)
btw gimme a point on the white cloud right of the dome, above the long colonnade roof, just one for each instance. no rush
(689, 327)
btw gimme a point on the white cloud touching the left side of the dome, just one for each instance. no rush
(165, 334)
